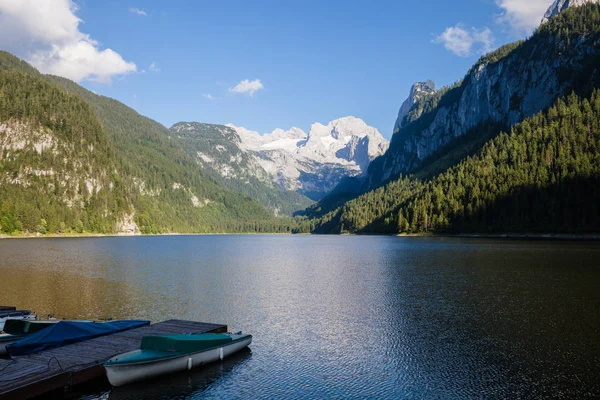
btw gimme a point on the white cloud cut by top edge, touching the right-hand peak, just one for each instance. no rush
(523, 16)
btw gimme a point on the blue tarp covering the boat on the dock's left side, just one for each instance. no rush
(68, 332)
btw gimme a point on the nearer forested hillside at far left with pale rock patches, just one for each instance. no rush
(57, 170)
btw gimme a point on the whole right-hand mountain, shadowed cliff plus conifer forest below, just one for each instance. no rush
(566, 52)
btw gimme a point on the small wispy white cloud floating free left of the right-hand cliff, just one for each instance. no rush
(465, 42)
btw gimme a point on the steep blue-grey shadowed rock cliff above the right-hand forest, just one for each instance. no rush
(504, 87)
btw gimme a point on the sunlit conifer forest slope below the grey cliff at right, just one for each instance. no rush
(543, 176)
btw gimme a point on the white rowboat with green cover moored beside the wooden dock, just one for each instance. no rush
(166, 354)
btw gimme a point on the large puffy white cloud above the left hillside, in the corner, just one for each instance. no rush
(46, 33)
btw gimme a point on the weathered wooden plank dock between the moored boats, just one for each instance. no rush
(33, 375)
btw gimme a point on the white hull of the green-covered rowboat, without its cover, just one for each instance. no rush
(119, 375)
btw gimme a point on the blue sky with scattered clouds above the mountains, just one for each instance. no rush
(316, 60)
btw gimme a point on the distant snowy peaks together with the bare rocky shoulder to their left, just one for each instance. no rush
(310, 163)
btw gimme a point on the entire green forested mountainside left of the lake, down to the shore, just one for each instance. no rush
(75, 161)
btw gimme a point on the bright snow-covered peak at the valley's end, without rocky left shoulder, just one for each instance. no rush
(314, 163)
